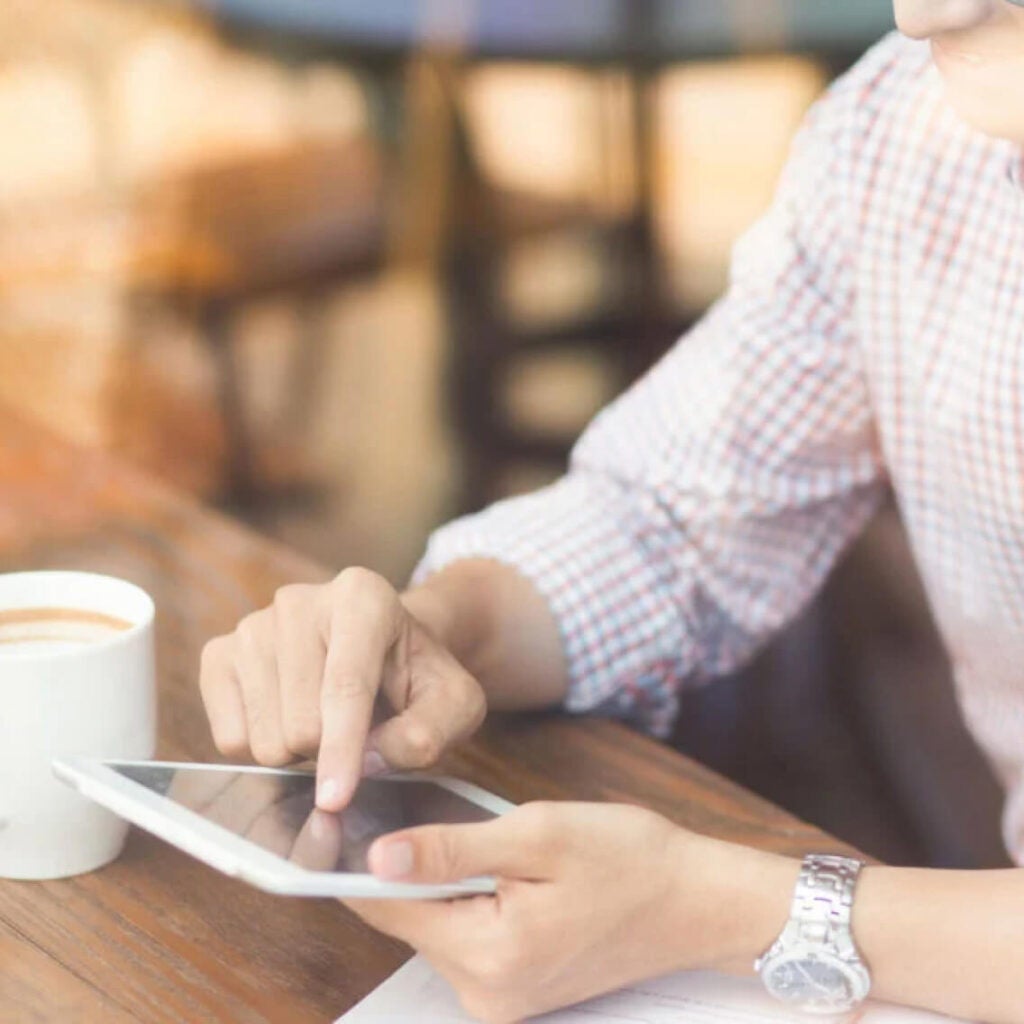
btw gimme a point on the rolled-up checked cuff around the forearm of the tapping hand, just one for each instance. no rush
(620, 631)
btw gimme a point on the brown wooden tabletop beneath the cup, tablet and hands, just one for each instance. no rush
(162, 940)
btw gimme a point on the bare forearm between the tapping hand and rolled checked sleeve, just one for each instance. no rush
(500, 628)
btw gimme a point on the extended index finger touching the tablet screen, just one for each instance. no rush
(365, 621)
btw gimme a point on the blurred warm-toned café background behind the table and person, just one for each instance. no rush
(350, 268)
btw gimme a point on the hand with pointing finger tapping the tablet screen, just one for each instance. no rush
(301, 679)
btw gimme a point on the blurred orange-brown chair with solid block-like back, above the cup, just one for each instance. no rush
(297, 224)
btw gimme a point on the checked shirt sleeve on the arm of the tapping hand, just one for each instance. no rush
(705, 507)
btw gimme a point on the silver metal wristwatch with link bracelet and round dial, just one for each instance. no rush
(815, 965)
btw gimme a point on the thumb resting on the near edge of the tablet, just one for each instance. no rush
(514, 846)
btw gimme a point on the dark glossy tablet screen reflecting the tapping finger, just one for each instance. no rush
(277, 810)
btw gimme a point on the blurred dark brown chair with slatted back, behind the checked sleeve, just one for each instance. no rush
(611, 338)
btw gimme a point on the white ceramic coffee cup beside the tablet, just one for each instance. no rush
(80, 696)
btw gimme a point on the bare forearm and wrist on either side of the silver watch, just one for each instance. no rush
(948, 942)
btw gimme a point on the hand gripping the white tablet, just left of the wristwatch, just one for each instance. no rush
(591, 899)
